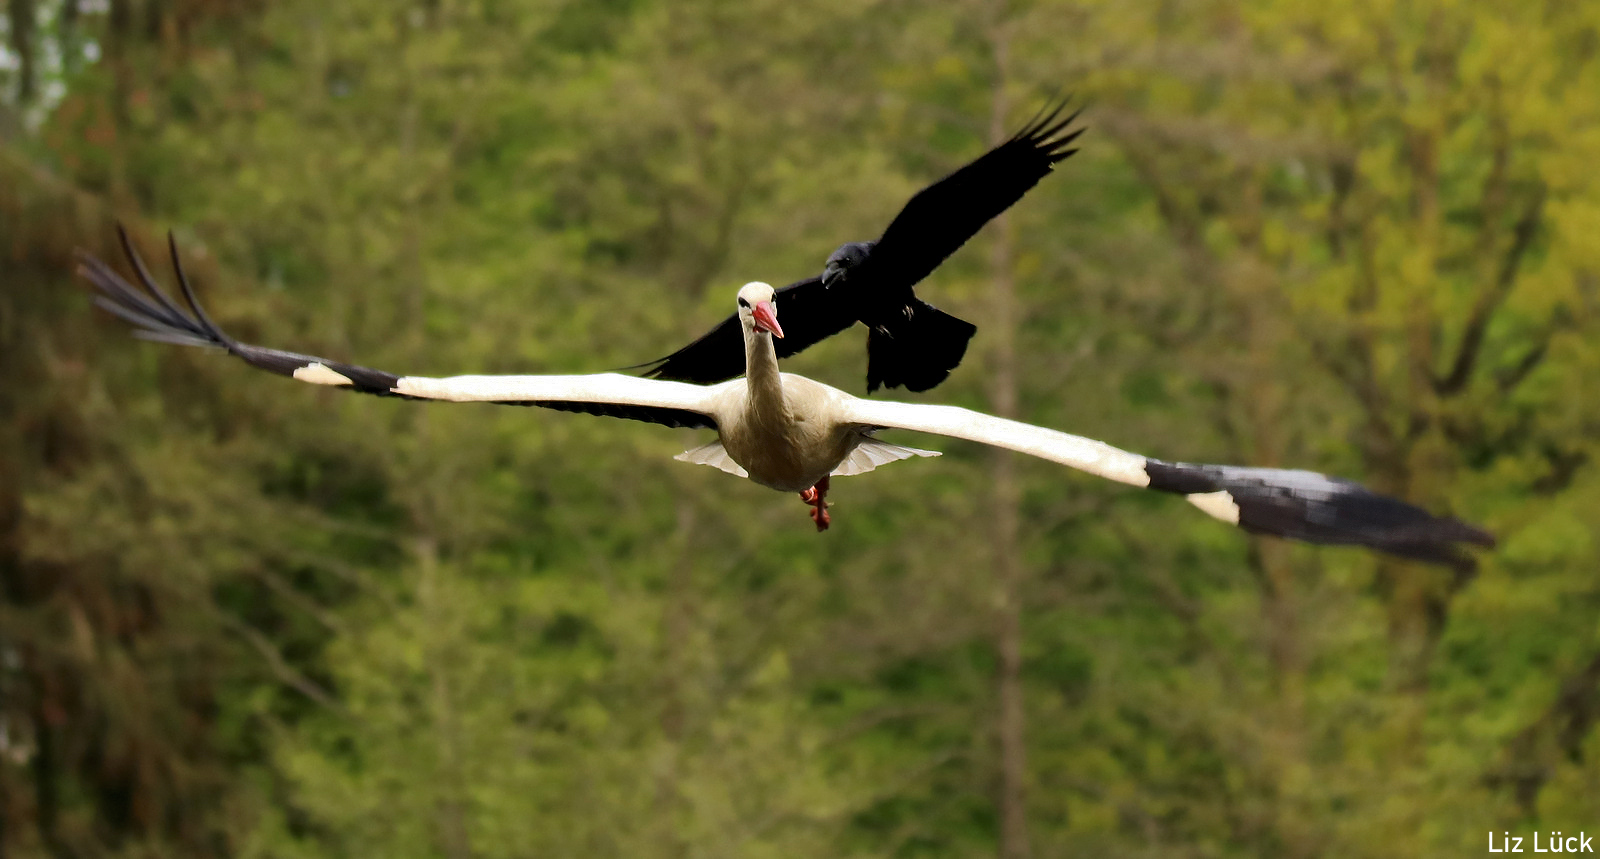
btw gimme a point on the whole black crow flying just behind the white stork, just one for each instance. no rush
(910, 342)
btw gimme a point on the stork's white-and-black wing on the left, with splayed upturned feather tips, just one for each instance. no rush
(158, 318)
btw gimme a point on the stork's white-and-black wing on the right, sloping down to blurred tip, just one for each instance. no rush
(1286, 503)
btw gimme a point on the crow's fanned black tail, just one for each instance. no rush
(916, 348)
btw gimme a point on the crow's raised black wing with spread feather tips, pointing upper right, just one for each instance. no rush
(945, 215)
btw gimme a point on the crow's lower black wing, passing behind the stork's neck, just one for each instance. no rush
(807, 311)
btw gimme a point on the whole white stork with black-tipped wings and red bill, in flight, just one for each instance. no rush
(794, 434)
